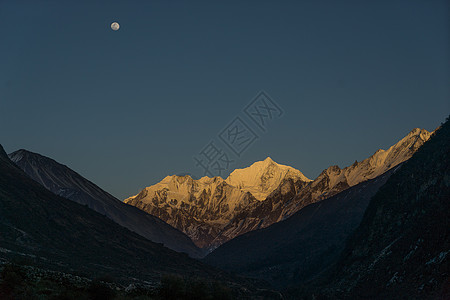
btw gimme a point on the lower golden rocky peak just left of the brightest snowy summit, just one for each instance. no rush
(197, 207)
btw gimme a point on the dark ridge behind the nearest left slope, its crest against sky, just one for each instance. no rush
(65, 182)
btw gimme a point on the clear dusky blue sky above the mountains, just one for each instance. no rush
(126, 108)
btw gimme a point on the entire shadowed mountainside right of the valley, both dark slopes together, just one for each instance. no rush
(384, 238)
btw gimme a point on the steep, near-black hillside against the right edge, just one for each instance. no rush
(401, 250)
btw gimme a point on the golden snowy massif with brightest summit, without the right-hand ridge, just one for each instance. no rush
(203, 208)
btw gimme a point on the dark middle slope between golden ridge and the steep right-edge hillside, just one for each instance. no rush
(302, 246)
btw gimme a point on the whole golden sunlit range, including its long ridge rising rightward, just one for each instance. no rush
(212, 210)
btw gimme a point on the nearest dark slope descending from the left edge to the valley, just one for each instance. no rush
(55, 233)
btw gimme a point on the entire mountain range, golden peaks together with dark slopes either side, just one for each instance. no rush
(378, 229)
